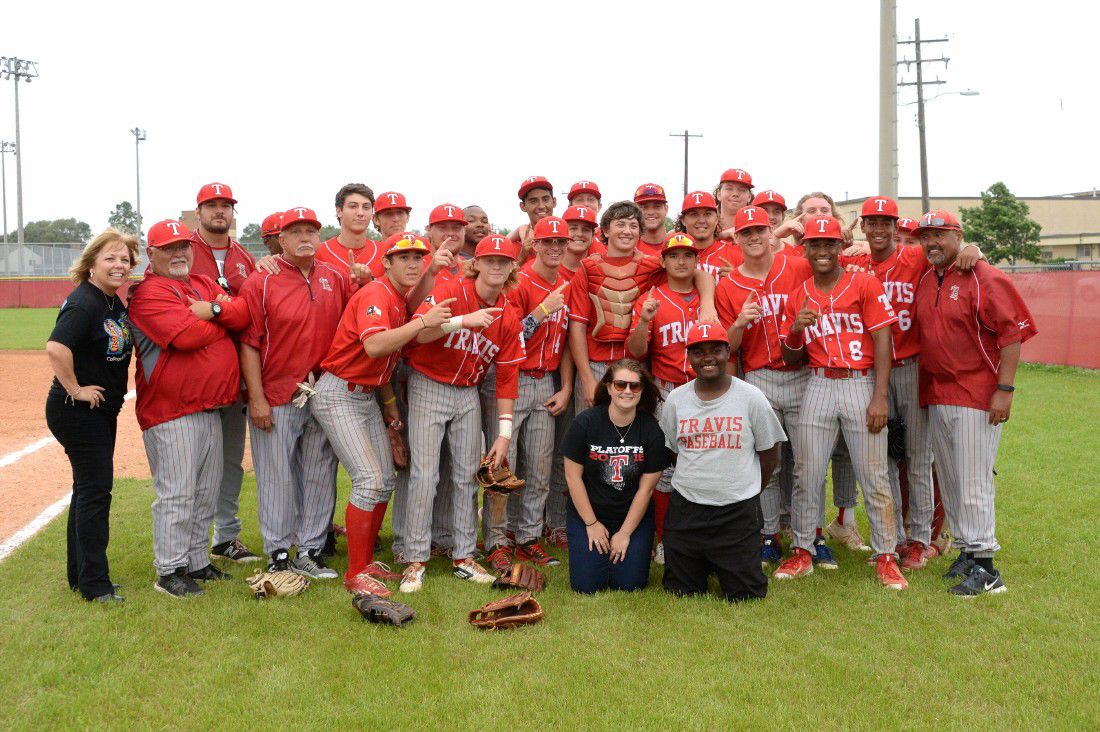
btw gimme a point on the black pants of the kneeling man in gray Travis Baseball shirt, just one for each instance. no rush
(701, 540)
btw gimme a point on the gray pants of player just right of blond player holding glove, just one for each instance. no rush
(531, 453)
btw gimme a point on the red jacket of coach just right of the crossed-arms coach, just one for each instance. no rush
(294, 319)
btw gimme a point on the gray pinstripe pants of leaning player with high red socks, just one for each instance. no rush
(354, 424)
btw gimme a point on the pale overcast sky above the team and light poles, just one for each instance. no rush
(458, 103)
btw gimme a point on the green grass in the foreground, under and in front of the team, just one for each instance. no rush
(828, 652)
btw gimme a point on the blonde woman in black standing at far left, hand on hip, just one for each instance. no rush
(90, 351)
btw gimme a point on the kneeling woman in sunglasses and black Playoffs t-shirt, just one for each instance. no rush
(614, 454)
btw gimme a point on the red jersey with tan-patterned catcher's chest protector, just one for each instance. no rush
(602, 296)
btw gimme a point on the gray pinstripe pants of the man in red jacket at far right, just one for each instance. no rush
(965, 449)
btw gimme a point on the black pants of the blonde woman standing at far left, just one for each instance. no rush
(89, 439)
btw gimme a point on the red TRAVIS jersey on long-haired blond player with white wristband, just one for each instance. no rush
(461, 358)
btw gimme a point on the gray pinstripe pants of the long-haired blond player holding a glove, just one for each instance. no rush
(437, 413)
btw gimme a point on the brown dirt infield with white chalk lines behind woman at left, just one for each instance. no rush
(37, 480)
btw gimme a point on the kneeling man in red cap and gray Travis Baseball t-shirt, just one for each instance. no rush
(725, 438)
